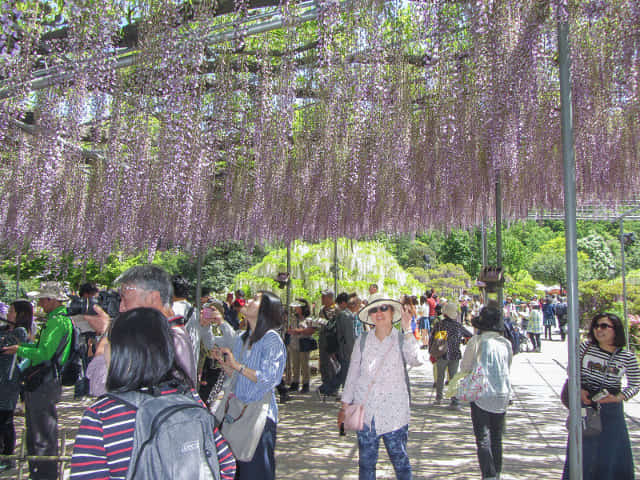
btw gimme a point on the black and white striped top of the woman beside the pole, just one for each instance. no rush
(621, 363)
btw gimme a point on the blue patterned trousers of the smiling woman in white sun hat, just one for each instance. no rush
(396, 444)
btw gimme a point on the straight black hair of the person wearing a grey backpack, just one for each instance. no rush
(142, 352)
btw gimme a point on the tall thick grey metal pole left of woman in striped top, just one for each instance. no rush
(569, 163)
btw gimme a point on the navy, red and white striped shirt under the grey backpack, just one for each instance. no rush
(104, 442)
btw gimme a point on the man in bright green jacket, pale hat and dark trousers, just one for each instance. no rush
(41, 418)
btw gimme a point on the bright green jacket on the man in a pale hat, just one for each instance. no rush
(58, 325)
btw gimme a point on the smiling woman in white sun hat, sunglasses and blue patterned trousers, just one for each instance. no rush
(378, 380)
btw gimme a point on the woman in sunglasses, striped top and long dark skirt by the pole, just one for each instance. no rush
(604, 360)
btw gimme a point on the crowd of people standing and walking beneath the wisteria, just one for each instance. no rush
(238, 358)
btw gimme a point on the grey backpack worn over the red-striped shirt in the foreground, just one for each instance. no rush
(173, 437)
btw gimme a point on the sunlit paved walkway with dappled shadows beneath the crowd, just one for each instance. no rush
(441, 442)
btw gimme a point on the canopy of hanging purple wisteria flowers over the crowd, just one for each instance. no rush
(397, 119)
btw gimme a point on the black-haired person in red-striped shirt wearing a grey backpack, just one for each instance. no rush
(145, 378)
